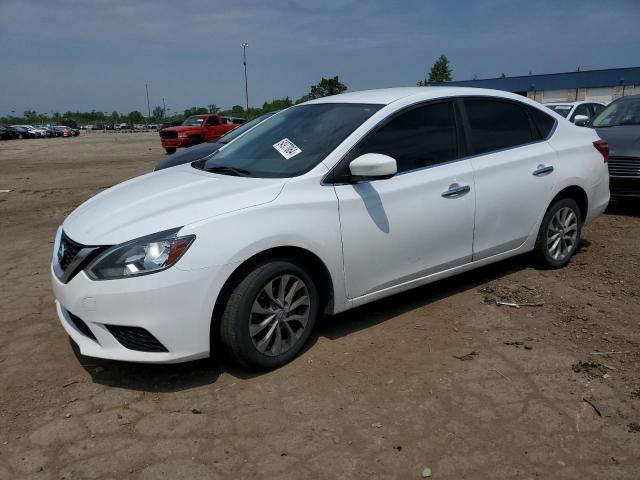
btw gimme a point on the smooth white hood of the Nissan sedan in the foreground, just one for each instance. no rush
(163, 200)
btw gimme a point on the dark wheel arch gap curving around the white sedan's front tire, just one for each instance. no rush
(302, 256)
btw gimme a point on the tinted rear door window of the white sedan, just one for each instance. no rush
(496, 125)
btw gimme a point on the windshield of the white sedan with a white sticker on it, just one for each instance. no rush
(291, 143)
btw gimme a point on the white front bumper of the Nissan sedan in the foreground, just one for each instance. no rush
(175, 306)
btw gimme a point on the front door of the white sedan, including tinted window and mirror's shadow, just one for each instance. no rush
(421, 220)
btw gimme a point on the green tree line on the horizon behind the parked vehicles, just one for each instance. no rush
(440, 72)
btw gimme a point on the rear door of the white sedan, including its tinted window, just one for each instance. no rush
(514, 172)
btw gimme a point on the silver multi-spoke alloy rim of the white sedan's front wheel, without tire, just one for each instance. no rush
(279, 315)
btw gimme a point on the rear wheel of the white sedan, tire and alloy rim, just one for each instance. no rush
(559, 235)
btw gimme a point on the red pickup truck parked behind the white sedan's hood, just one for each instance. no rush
(197, 129)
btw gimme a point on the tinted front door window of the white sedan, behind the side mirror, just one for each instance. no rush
(421, 137)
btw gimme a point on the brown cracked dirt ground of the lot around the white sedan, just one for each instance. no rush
(440, 377)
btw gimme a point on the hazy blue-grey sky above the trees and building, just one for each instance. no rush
(98, 54)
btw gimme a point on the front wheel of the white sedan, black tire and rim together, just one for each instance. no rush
(264, 331)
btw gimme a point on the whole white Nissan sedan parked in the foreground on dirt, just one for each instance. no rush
(331, 204)
